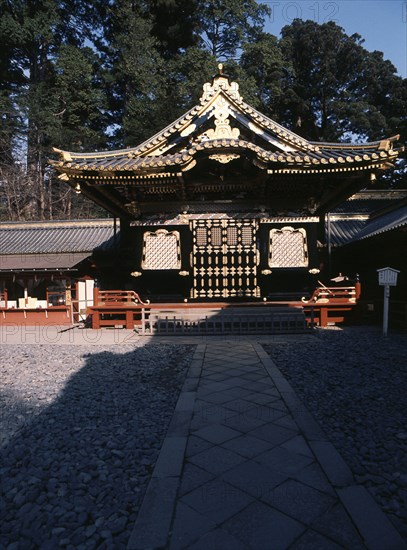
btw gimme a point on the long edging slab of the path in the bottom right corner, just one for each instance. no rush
(371, 522)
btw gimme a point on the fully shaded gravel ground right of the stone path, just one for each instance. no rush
(354, 382)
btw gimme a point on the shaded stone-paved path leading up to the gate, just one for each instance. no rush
(245, 466)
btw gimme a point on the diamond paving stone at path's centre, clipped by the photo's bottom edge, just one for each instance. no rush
(263, 528)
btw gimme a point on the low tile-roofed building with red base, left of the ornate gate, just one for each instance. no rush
(47, 273)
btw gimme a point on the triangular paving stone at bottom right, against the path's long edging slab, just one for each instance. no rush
(337, 525)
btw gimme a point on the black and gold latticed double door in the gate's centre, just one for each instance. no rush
(224, 258)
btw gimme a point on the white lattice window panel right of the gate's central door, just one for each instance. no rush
(288, 247)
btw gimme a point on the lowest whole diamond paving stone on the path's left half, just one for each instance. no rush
(217, 500)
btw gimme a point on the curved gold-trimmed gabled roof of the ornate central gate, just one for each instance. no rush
(187, 160)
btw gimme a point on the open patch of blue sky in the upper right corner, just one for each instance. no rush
(382, 23)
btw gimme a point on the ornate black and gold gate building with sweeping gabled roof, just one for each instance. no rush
(224, 203)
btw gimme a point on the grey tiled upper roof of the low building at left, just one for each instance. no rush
(54, 237)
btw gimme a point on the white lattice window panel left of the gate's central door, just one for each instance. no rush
(161, 250)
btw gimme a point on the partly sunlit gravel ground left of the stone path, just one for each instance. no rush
(81, 431)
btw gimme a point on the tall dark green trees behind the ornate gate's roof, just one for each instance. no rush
(84, 75)
